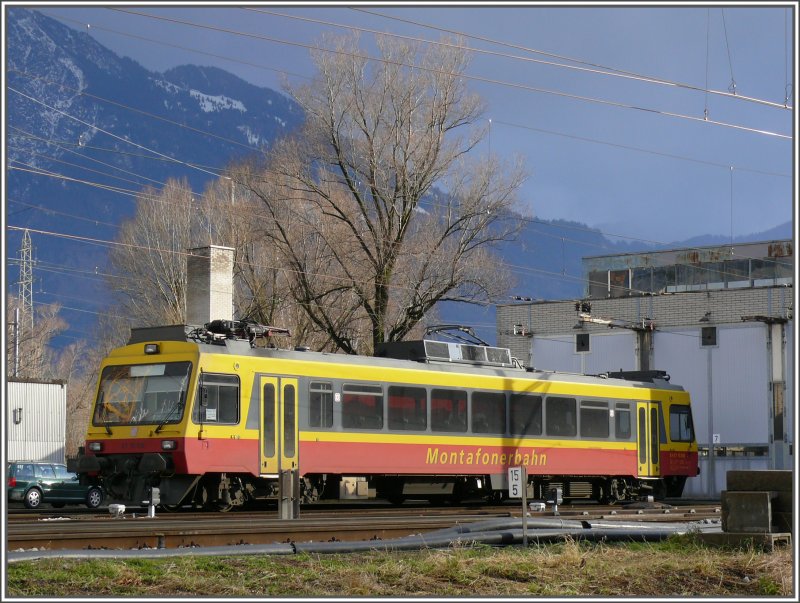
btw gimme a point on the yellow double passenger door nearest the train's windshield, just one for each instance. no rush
(278, 441)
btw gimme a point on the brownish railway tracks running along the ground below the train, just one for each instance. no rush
(135, 530)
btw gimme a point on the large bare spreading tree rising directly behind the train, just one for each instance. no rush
(350, 199)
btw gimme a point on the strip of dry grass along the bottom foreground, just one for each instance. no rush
(677, 568)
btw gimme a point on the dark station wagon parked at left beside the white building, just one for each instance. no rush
(34, 483)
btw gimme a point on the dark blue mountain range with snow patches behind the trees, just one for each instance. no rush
(103, 127)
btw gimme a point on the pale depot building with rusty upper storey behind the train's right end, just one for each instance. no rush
(718, 320)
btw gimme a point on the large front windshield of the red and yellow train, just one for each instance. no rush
(142, 394)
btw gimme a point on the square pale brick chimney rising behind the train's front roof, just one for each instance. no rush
(209, 294)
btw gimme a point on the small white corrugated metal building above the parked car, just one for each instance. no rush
(36, 421)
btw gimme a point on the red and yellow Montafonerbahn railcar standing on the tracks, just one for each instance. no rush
(212, 421)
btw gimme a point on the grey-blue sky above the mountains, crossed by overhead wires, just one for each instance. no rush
(634, 158)
